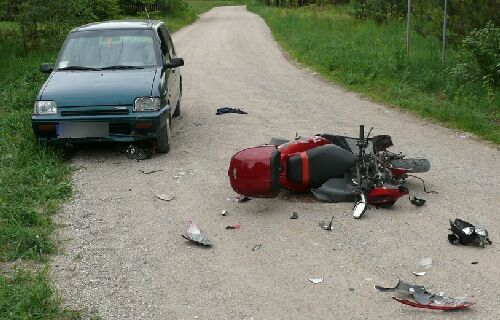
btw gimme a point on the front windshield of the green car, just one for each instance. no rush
(108, 49)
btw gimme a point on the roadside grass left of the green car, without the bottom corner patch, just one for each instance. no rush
(34, 178)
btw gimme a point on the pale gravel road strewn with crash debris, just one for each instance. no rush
(122, 256)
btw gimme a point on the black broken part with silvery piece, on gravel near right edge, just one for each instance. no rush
(465, 233)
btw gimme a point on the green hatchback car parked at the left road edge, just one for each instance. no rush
(113, 81)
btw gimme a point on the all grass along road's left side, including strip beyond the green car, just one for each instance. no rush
(34, 179)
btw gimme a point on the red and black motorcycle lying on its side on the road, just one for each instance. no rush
(334, 168)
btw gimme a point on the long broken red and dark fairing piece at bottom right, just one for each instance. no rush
(425, 299)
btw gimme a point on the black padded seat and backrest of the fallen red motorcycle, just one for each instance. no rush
(324, 162)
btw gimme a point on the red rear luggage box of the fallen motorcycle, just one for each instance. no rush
(254, 172)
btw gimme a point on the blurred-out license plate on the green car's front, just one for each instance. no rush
(70, 129)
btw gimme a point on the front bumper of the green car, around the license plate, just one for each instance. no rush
(122, 128)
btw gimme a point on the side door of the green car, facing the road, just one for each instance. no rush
(167, 74)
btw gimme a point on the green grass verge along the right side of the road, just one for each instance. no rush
(370, 58)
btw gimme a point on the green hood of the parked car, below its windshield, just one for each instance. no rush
(97, 88)
